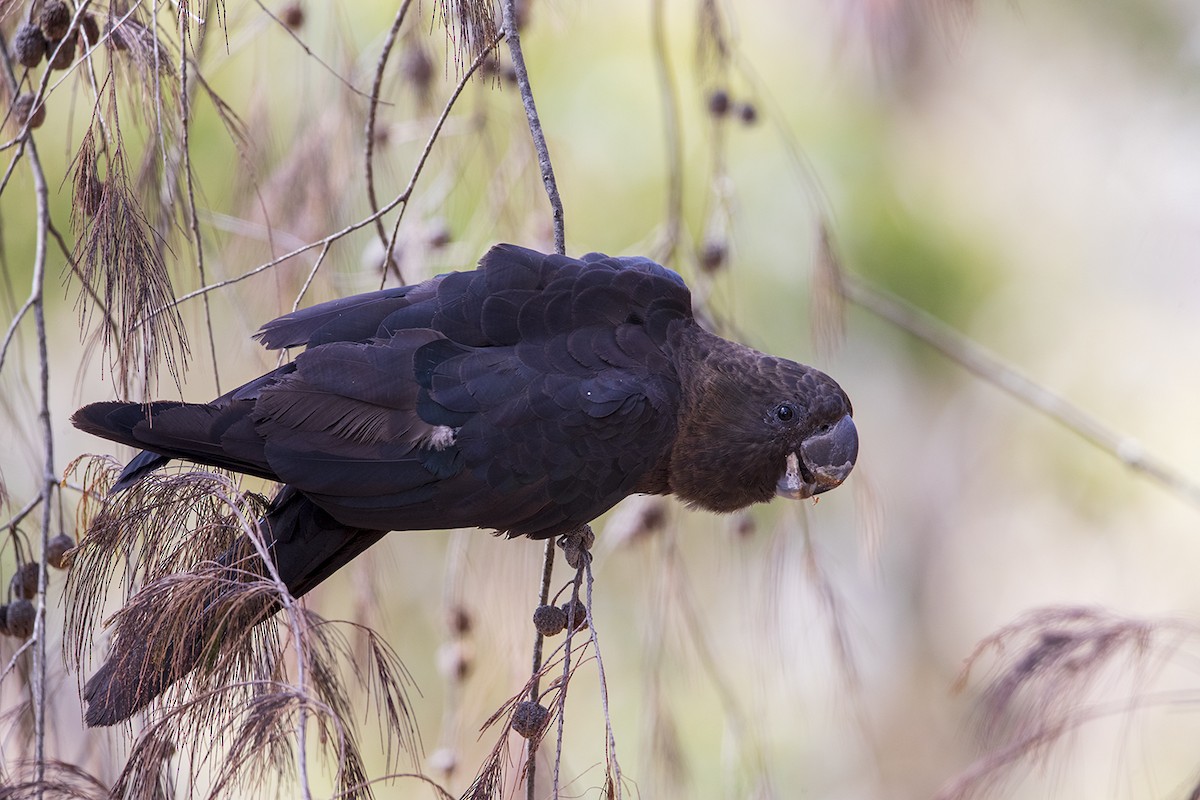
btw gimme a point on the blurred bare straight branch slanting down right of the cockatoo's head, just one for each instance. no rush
(982, 364)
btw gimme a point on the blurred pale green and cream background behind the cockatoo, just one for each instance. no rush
(1027, 173)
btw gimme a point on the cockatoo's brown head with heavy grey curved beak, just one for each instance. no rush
(761, 426)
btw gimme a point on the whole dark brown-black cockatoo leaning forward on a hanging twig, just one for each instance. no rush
(527, 398)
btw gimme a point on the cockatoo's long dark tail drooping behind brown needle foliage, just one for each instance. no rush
(149, 654)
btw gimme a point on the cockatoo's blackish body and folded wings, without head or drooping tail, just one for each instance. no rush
(529, 396)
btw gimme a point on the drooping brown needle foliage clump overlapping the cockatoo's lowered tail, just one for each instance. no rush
(183, 545)
